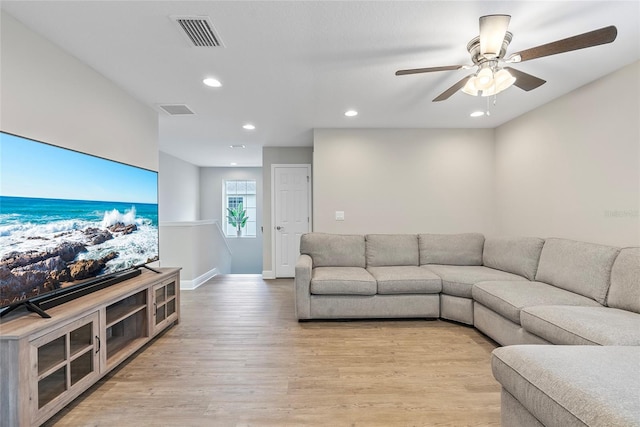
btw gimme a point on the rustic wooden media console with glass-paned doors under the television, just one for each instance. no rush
(46, 363)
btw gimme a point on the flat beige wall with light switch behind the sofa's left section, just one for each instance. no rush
(403, 180)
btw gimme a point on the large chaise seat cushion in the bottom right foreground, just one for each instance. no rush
(572, 385)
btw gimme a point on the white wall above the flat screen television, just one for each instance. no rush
(48, 95)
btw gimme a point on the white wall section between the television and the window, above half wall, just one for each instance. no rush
(179, 188)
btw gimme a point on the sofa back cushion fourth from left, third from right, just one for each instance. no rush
(518, 255)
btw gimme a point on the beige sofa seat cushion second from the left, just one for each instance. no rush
(406, 280)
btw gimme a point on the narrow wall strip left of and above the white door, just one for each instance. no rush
(271, 156)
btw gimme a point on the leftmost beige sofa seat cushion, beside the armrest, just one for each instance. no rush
(342, 281)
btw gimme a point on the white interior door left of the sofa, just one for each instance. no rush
(292, 204)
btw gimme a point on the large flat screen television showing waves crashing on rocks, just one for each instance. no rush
(70, 222)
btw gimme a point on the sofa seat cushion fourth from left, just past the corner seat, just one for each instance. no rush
(507, 298)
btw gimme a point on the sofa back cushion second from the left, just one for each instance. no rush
(392, 249)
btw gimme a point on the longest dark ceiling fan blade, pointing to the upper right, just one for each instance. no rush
(592, 38)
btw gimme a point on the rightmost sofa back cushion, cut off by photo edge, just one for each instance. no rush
(624, 292)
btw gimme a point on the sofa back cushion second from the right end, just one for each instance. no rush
(580, 267)
